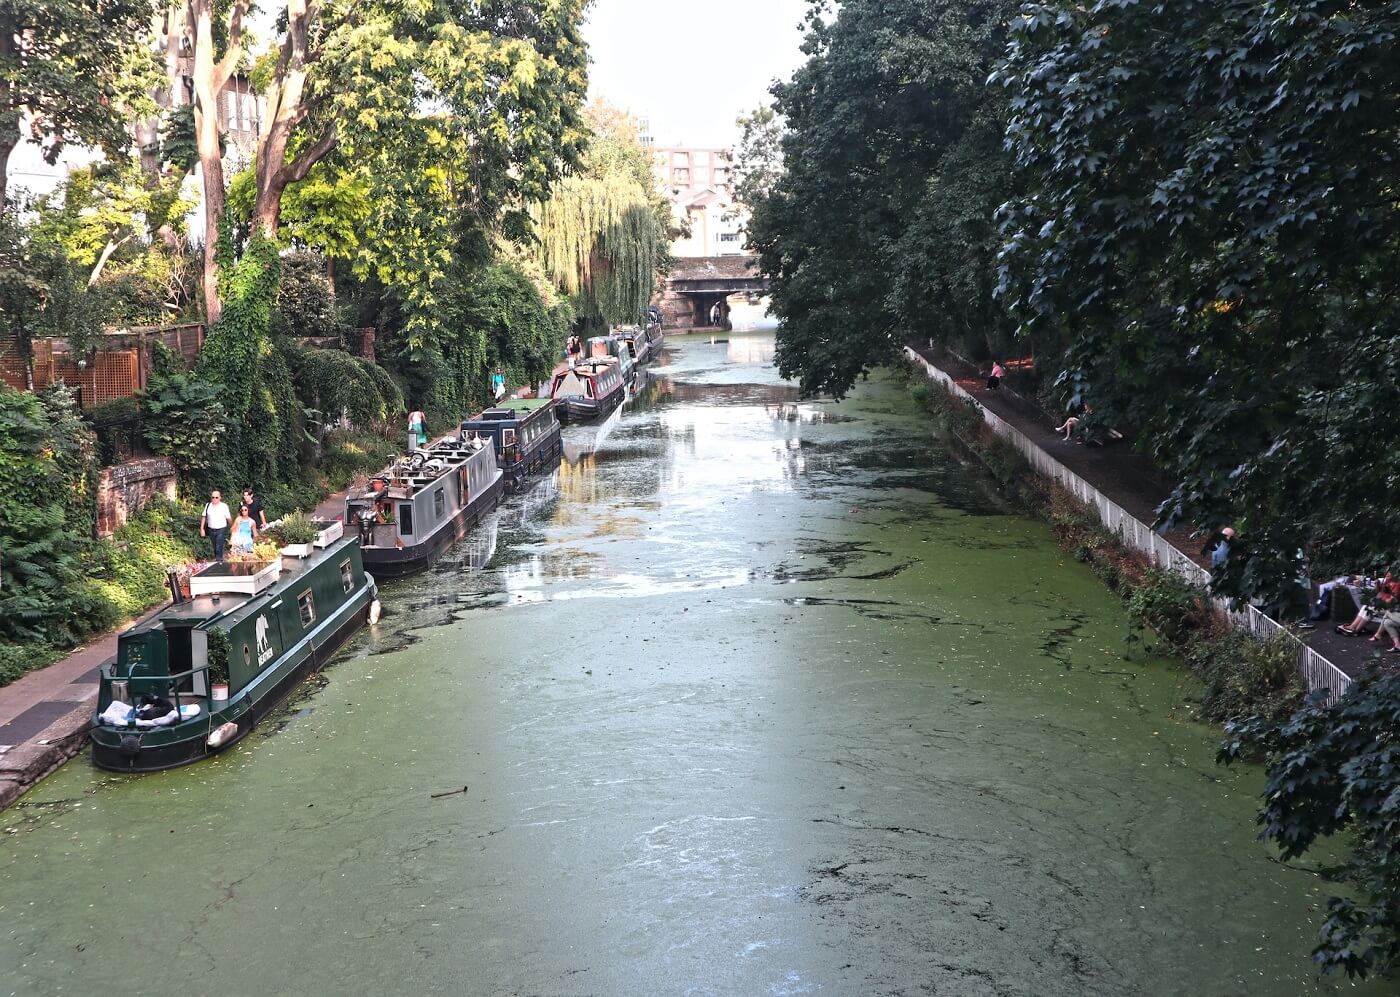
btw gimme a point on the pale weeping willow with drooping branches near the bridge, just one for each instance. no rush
(604, 232)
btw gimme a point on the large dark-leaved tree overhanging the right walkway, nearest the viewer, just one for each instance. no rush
(1209, 233)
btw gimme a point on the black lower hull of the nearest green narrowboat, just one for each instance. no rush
(155, 750)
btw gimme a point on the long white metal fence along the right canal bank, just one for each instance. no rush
(1318, 673)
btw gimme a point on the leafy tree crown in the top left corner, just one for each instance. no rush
(69, 71)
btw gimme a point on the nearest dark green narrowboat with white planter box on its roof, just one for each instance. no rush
(198, 677)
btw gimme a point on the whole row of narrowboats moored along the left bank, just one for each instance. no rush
(201, 674)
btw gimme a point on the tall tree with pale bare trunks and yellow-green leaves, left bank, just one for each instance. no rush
(467, 106)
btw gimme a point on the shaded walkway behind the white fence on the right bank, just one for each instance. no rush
(1133, 482)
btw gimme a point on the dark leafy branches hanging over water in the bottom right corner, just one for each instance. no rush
(1336, 771)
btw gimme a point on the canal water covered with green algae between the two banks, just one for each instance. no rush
(754, 698)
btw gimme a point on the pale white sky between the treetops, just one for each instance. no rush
(692, 68)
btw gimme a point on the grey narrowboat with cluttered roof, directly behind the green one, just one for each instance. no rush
(422, 505)
